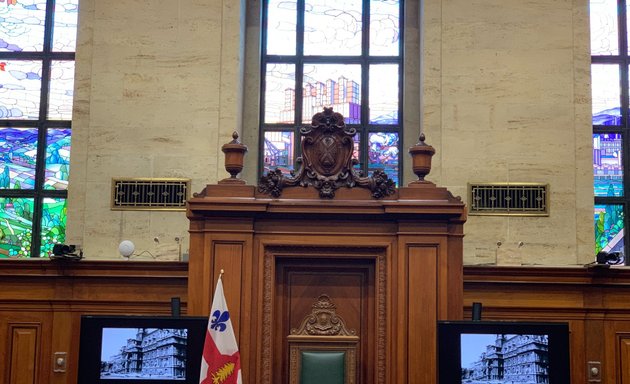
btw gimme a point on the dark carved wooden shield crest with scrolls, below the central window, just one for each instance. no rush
(327, 162)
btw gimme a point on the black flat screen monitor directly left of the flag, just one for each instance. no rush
(141, 349)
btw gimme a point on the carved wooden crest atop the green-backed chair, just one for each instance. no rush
(323, 321)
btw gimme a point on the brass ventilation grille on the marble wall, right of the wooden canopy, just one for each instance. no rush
(514, 199)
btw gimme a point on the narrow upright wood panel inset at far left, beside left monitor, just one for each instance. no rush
(25, 348)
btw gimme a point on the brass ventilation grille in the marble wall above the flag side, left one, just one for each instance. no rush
(150, 194)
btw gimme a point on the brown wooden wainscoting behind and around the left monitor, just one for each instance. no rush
(41, 303)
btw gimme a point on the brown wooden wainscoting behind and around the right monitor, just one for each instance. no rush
(593, 301)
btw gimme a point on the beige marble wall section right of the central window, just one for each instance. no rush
(507, 99)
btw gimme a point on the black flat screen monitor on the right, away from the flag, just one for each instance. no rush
(480, 352)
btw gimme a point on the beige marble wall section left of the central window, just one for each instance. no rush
(158, 91)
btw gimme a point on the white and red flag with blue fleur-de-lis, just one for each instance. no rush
(221, 361)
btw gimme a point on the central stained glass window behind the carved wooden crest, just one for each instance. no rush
(344, 54)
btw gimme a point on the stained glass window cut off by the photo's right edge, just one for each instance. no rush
(610, 100)
